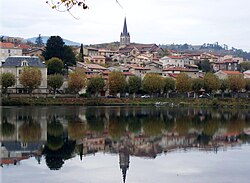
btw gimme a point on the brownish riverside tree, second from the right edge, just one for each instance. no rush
(236, 83)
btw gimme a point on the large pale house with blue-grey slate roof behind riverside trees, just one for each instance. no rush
(15, 64)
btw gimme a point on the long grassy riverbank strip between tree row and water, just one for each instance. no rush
(214, 102)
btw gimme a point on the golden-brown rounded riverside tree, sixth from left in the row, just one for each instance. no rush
(116, 82)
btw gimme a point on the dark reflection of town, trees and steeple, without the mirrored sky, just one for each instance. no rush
(61, 133)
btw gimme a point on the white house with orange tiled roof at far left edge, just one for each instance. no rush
(9, 49)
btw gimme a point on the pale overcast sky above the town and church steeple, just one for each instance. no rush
(149, 21)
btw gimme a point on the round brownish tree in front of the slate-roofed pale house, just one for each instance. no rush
(30, 78)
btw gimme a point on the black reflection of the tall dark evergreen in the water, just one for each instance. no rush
(55, 158)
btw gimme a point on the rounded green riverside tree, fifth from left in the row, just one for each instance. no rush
(95, 85)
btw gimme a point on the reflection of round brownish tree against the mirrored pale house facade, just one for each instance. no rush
(30, 131)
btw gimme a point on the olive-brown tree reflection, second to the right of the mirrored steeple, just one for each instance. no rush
(153, 127)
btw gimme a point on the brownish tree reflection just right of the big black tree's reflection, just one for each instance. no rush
(76, 129)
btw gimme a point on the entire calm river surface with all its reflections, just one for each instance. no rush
(124, 144)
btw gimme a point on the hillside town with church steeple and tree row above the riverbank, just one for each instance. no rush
(104, 61)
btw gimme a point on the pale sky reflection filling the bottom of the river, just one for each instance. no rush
(230, 166)
